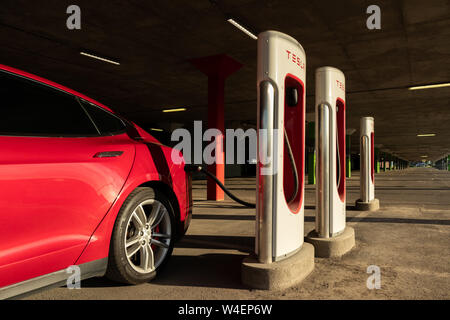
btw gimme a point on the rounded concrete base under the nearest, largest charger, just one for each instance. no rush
(278, 275)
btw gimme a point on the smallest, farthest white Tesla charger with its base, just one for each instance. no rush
(367, 199)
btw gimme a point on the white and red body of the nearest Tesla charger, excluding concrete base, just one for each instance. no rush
(281, 67)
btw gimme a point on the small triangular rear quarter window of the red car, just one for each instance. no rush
(106, 122)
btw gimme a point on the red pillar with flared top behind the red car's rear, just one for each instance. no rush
(217, 68)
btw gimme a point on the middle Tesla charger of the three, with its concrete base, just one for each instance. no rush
(330, 237)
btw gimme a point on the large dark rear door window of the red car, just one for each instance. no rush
(28, 108)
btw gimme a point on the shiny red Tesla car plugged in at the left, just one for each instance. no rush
(80, 185)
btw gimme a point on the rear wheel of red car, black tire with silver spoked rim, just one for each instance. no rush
(143, 237)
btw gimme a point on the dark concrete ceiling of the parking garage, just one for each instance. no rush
(153, 40)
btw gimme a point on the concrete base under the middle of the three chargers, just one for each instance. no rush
(332, 247)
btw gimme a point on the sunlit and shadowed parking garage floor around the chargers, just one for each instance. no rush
(408, 238)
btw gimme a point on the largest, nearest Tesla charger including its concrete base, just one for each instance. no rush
(279, 244)
